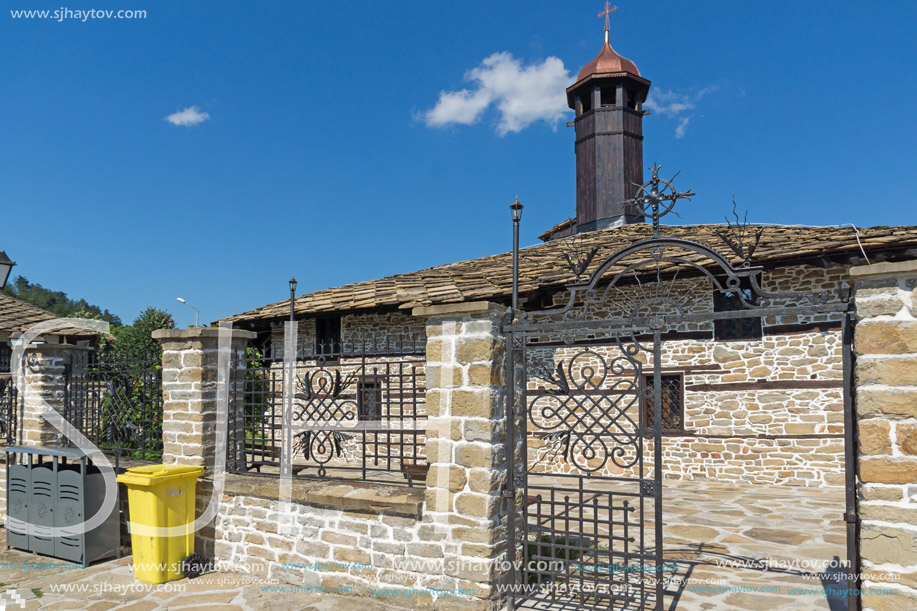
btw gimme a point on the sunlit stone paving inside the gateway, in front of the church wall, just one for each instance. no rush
(753, 538)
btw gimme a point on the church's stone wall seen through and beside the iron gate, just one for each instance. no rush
(766, 411)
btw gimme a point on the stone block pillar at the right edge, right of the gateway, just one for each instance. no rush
(885, 343)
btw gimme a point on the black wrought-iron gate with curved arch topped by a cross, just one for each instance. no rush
(581, 378)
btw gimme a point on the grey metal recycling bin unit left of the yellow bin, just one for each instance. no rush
(57, 487)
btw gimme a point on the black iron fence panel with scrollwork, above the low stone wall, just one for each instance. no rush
(357, 411)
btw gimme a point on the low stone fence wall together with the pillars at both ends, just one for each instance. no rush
(435, 547)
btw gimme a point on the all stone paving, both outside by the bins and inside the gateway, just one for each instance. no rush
(713, 532)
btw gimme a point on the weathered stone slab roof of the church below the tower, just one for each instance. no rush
(544, 266)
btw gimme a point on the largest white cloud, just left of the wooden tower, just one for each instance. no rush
(521, 94)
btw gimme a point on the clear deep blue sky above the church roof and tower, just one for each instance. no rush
(319, 156)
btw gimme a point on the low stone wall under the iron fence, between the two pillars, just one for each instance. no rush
(365, 539)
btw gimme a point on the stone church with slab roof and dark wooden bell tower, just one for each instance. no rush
(756, 400)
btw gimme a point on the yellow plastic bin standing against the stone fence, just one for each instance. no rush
(163, 496)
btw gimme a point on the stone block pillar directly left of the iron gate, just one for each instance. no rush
(465, 447)
